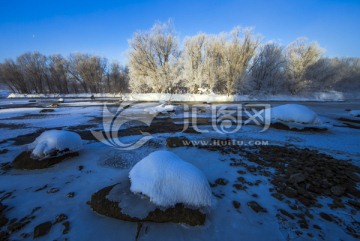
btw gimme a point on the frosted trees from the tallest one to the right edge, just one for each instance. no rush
(234, 63)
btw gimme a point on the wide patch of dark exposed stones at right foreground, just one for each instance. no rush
(306, 174)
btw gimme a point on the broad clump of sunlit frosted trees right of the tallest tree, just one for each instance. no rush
(218, 62)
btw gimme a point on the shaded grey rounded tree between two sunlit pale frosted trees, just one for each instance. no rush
(266, 74)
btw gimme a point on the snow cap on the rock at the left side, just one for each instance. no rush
(53, 141)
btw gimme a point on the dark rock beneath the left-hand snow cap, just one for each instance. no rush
(25, 161)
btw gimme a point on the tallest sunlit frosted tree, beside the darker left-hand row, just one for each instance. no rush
(154, 59)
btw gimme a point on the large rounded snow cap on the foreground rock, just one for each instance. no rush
(168, 180)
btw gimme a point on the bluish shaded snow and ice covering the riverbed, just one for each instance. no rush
(39, 196)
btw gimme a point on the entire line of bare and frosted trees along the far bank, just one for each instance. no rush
(237, 62)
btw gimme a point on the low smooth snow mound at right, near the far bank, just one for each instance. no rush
(294, 113)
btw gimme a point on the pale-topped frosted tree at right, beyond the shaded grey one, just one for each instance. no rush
(300, 56)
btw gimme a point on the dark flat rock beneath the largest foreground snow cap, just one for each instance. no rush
(177, 214)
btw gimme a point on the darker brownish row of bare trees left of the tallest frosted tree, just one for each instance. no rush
(78, 73)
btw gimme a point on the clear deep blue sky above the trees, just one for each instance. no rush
(103, 27)
